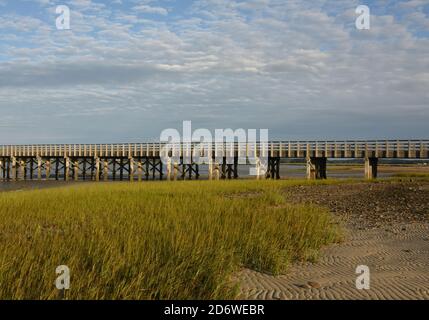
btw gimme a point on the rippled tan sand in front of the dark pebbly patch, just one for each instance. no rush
(398, 258)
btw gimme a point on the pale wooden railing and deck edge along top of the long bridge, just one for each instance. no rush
(284, 149)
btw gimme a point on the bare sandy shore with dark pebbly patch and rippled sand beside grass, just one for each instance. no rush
(393, 241)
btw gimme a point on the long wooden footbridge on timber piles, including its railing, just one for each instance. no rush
(143, 161)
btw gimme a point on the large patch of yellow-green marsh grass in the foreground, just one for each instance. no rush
(181, 240)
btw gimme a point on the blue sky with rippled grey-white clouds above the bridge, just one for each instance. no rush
(126, 70)
